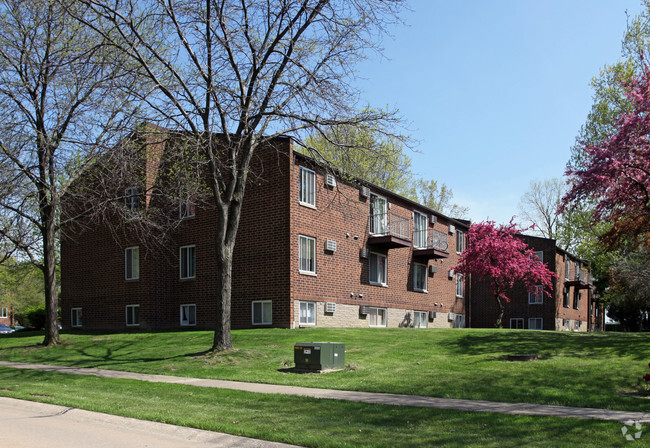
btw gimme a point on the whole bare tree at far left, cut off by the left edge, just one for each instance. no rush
(58, 110)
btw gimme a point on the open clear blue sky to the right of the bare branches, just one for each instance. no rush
(495, 92)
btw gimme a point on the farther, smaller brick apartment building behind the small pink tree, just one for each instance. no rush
(571, 307)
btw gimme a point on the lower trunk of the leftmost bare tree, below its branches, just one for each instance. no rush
(49, 273)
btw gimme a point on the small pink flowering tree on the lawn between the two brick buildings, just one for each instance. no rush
(496, 254)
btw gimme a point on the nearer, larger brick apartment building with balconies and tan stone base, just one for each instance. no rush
(313, 249)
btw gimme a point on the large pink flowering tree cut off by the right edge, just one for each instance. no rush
(616, 171)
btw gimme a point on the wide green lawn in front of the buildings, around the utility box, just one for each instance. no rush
(586, 370)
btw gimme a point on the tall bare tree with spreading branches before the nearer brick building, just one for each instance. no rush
(236, 74)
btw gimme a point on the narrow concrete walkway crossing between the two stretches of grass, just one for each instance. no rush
(364, 397)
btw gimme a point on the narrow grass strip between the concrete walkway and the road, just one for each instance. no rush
(304, 421)
